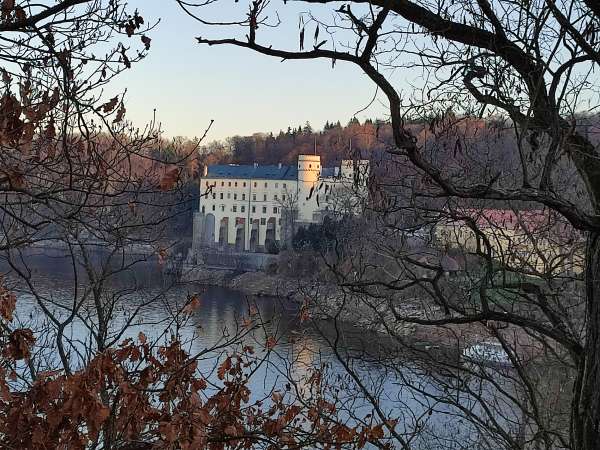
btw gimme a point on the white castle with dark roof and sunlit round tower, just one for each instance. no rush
(250, 207)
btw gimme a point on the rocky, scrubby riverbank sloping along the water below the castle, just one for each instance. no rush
(325, 301)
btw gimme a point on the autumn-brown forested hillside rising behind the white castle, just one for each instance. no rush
(482, 147)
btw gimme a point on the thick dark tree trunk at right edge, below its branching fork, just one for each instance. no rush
(585, 420)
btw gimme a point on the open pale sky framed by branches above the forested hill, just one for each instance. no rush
(242, 91)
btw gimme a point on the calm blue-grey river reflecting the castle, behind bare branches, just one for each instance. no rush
(402, 391)
